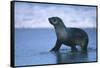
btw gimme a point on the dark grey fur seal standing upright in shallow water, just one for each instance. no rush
(68, 36)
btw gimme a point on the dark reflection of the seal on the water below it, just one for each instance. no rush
(69, 57)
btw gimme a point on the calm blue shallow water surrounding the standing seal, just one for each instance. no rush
(32, 47)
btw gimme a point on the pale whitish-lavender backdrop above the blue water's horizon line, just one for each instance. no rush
(35, 15)
